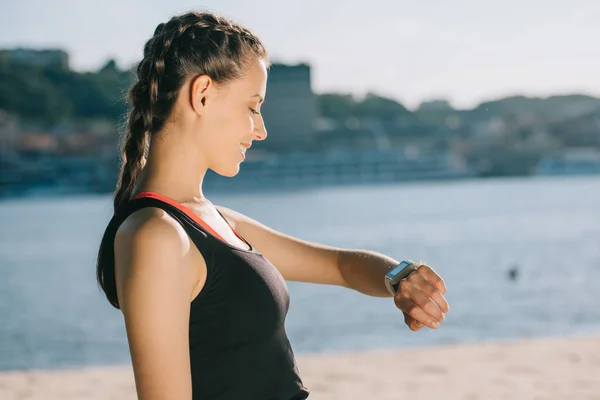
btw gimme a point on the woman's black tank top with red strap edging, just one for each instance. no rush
(239, 348)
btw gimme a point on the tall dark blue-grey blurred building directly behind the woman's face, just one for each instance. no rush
(289, 109)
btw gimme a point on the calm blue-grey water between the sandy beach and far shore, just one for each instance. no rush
(52, 315)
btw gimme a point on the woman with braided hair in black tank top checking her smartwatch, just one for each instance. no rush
(202, 288)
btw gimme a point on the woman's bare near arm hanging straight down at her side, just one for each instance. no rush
(154, 286)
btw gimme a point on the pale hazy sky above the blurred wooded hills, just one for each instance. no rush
(465, 51)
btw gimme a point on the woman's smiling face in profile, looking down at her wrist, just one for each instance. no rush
(230, 119)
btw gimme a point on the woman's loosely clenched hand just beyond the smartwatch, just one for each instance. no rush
(420, 296)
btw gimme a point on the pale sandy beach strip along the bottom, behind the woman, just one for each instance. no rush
(558, 368)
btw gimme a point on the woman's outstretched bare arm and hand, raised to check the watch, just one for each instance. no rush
(420, 296)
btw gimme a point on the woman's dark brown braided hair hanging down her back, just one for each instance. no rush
(190, 44)
